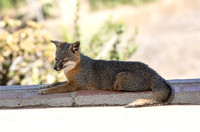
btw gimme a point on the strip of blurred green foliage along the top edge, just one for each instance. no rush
(99, 4)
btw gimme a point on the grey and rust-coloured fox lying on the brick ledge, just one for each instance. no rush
(84, 73)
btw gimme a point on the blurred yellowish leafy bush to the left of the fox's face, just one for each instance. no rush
(25, 54)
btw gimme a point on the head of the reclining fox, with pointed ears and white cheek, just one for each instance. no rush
(67, 55)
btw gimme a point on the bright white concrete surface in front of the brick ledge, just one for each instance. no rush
(102, 119)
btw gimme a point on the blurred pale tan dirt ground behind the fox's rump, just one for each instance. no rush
(169, 41)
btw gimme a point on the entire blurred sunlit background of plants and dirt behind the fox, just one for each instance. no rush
(165, 34)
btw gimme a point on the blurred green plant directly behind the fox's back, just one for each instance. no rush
(108, 42)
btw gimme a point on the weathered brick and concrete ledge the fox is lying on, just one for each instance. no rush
(187, 91)
